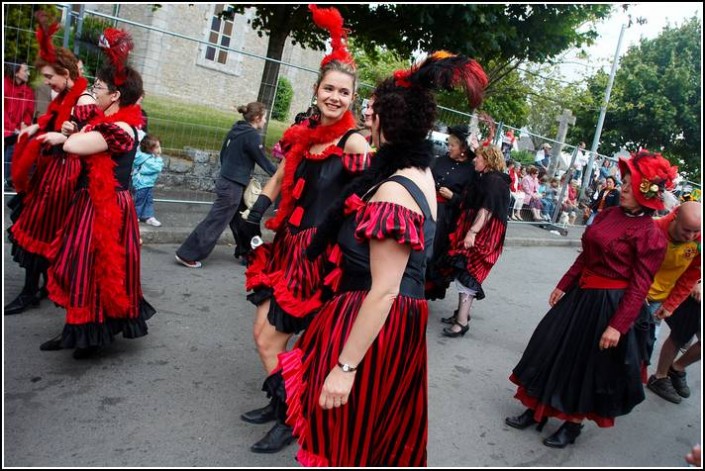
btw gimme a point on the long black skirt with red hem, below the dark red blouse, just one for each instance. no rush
(563, 373)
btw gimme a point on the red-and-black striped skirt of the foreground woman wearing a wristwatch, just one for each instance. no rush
(385, 422)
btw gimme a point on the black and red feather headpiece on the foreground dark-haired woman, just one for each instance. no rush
(444, 70)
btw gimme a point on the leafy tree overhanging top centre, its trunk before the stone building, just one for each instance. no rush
(505, 34)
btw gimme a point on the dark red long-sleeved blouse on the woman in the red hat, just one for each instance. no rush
(620, 247)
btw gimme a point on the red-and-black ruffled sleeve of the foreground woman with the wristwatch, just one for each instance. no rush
(382, 220)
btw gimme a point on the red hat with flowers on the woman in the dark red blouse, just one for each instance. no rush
(652, 175)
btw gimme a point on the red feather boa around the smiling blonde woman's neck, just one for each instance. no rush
(301, 137)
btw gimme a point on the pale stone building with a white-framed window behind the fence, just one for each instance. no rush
(192, 68)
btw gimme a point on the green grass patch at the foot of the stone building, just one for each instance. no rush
(180, 124)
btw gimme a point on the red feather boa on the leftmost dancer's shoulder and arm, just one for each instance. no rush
(27, 150)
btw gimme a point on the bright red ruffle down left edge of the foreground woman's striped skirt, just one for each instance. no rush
(292, 368)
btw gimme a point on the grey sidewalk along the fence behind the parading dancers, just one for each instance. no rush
(179, 218)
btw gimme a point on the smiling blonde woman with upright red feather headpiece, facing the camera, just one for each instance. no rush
(322, 156)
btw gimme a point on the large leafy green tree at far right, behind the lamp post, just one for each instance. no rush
(656, 100)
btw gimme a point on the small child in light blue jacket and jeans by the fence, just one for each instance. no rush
(145, 171)
